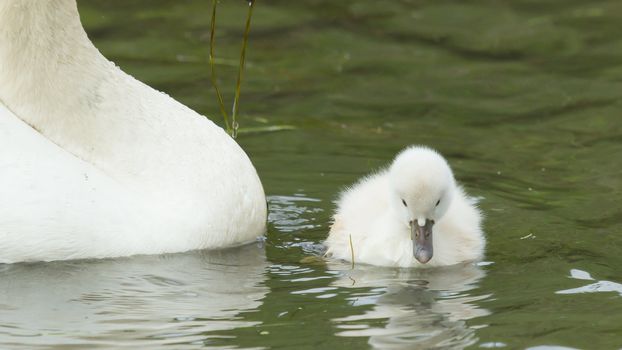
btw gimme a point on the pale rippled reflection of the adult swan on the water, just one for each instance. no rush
(139, 301)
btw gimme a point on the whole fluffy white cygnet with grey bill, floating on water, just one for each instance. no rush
(411, 214)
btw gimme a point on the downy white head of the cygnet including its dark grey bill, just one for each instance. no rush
(423, 187)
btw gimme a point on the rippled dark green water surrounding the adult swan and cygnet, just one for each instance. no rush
(523, 97)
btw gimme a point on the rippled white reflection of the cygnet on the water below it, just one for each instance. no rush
(422, 308)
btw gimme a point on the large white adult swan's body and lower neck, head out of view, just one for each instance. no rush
(94, 163)
